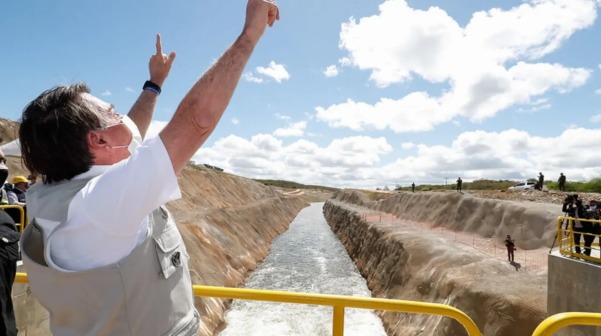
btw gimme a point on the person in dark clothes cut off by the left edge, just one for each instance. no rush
(9, 255)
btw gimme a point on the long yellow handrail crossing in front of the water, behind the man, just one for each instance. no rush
(338, 302)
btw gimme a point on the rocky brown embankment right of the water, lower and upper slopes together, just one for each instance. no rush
(409, 263)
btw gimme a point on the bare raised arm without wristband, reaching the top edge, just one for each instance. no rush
(201, 109)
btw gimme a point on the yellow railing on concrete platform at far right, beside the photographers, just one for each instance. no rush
(567, 245)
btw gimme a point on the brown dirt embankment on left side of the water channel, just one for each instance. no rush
(228, 223)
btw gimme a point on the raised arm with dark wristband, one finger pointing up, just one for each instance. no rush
(159, 67)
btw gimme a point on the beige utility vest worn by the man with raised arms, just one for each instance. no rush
(147, 293)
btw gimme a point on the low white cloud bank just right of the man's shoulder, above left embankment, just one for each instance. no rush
(264, 156)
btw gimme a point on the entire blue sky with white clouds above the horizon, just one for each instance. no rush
(343, 93)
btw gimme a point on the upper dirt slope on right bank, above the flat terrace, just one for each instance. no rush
(532, 224)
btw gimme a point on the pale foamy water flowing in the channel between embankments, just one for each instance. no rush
(307, 258)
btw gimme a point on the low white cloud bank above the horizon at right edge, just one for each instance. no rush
(510, 154)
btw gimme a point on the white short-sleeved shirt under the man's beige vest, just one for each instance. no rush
(108, 218)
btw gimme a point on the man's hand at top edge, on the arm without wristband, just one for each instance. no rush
(259, 14)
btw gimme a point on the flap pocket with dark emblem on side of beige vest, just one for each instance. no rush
(170, 251)
